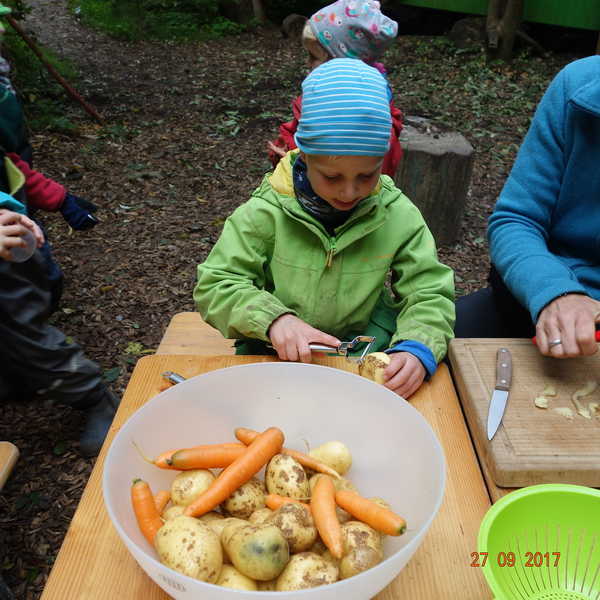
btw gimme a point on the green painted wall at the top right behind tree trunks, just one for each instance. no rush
(582, 14)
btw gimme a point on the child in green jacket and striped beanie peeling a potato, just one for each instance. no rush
(306, 259)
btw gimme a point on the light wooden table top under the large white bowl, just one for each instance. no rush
(93, 563)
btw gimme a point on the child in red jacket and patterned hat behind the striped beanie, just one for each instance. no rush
(345, 29)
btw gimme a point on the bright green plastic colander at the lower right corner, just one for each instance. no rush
(543, 543)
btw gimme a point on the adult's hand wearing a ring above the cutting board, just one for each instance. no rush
(572, 320)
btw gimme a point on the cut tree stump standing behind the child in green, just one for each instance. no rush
(435, 173)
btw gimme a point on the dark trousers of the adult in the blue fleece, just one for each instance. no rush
(492, 312)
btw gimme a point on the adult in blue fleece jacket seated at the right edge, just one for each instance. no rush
(544, 233)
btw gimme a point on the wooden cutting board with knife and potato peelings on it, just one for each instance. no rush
(532, 445)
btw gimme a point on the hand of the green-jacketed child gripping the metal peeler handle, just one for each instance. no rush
(290, 336)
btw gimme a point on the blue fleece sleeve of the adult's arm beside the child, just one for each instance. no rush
(519, 227)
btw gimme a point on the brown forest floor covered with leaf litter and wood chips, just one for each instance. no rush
(182, 144)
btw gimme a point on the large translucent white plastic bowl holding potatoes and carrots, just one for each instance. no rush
(396, 456)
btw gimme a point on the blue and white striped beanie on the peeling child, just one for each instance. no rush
(345, 110)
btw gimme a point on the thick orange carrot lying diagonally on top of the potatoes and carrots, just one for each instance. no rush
(241, 470)
